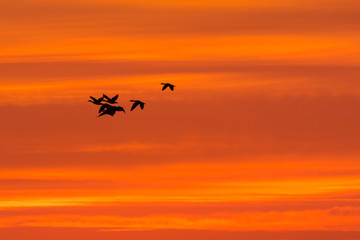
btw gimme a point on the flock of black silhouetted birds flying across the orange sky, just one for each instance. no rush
(107, 108)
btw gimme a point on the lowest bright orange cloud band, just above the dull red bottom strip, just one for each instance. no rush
(329, 219)
